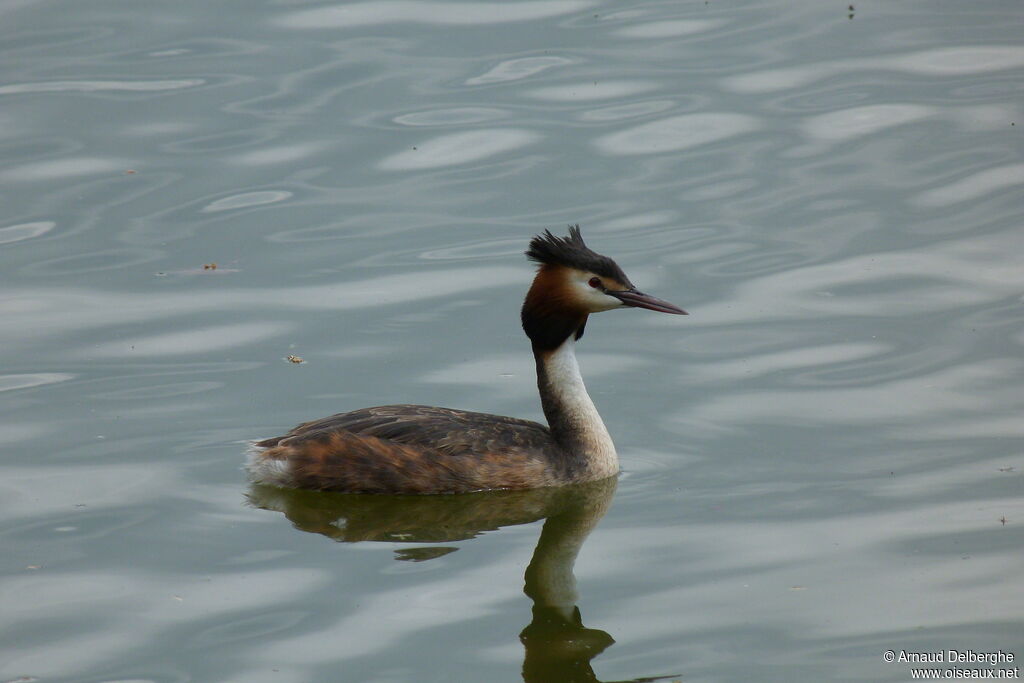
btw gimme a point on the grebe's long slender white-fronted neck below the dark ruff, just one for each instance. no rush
(574, 420)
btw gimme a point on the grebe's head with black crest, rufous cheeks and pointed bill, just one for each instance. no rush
(572, 283)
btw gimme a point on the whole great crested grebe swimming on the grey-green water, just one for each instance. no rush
(426, 450)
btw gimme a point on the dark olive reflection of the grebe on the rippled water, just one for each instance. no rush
(559, 647)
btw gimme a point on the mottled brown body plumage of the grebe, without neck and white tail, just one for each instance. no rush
(415, 450)
